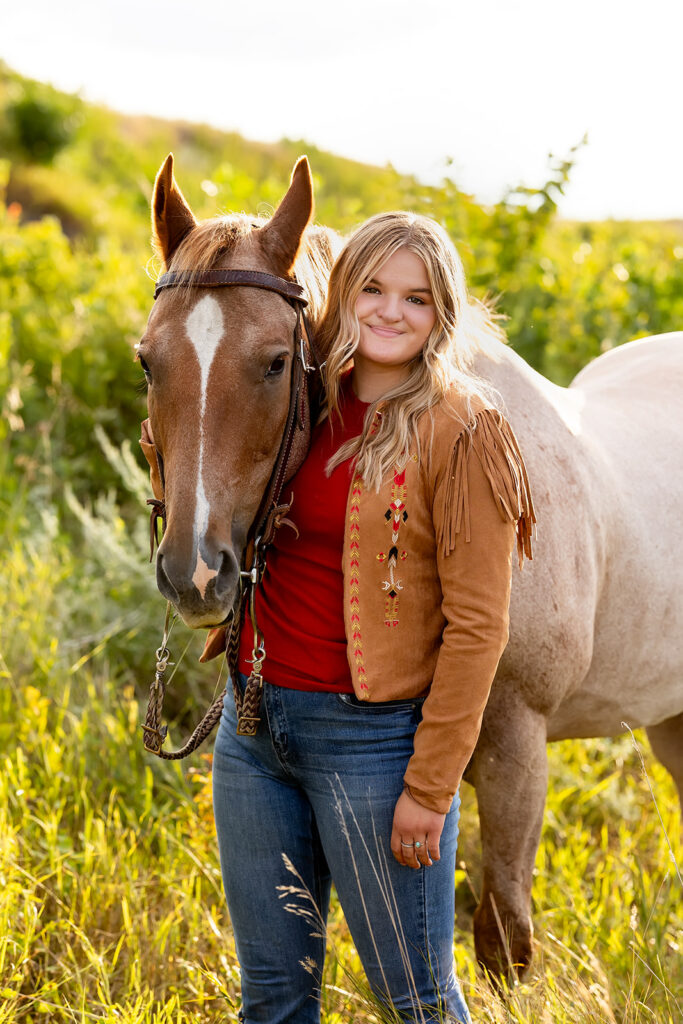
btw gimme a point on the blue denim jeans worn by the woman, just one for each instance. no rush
(311, 800)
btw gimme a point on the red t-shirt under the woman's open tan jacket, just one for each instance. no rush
(301, 602)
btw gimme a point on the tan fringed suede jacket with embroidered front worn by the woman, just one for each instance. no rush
(428, 571)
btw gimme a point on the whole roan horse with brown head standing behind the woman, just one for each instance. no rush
(583, 656)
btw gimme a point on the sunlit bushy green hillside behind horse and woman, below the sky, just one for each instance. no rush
(74, 252)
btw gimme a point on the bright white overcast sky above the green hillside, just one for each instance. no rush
(494, 86)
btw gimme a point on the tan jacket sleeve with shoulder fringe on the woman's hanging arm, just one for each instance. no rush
(482, 502)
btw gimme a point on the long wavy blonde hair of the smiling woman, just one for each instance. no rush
(463, 328)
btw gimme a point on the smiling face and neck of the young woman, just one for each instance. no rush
(397, 314)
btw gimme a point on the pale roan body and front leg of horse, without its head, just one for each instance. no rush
(596, 631)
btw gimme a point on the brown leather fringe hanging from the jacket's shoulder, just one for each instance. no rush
(493, 440)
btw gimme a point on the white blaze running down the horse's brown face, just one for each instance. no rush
(205, 330)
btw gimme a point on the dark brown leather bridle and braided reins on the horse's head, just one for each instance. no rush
(269, 519)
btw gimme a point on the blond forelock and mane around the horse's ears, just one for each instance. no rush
(211, 240)
